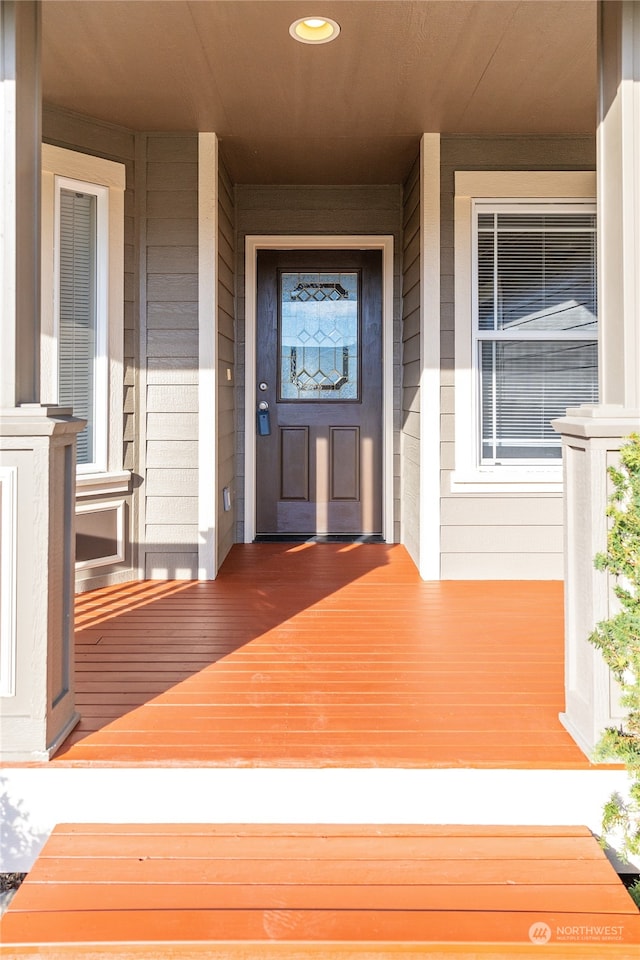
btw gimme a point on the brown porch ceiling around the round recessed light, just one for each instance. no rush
(351, 111)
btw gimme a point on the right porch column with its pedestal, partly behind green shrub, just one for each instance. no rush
(592, 435)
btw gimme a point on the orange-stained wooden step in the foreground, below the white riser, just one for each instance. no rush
(241, 888)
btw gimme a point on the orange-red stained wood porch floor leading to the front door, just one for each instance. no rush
(321, 655)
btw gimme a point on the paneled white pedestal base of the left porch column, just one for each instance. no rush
(37, 495)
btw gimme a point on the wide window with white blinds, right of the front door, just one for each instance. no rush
(535, 325)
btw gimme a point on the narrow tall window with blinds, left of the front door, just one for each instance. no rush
(77, 316)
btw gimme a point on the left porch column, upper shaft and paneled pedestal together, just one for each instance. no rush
(37, 443)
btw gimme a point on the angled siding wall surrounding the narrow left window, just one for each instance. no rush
(91, 137)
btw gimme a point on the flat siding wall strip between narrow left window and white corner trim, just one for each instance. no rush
(168, 390)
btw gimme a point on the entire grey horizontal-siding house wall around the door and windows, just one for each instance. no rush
(483, 535)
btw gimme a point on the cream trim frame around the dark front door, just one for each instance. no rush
(253, 244)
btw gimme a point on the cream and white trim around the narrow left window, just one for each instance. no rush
(105, 179)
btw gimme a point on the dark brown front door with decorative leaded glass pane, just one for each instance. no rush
(319, 373)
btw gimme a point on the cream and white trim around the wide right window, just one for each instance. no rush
(501, 187)
